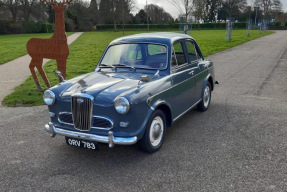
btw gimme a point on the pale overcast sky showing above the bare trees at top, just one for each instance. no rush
(168, 7)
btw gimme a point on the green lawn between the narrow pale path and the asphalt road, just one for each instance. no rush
(86, 51)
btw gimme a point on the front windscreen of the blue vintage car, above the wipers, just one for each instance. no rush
(147, 56)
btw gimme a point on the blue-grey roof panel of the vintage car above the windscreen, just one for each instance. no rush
(166, 38)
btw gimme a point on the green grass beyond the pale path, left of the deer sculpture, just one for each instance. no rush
(14, 46)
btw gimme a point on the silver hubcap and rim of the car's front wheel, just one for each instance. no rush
(156, 131)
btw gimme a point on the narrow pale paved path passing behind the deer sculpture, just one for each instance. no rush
(15, 72)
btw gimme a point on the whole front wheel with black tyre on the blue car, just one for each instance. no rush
(154, 133)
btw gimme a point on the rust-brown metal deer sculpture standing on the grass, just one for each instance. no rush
(54, 48)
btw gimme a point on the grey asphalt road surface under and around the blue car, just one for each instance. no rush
(239, 144)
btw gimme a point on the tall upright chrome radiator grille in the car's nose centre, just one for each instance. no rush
(82, 109)
